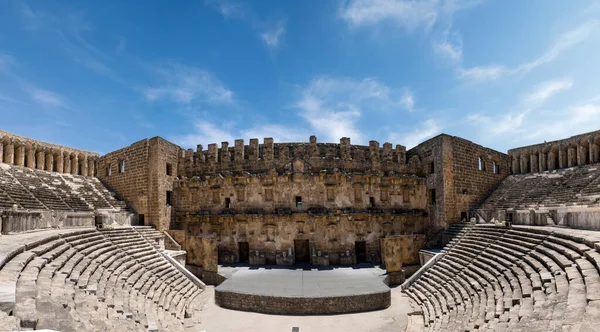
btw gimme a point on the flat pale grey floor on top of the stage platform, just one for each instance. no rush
(298, 282)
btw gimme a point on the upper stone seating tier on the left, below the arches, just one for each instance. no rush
(41, 190)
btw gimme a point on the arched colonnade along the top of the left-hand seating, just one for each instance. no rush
(19, 152)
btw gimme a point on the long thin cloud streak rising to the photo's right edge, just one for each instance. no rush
(562, 43)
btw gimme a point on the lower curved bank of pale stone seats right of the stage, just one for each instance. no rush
(511, 279)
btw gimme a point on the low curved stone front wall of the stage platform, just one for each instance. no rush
(303, 306)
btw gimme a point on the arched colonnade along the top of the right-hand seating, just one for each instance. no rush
(556, 156)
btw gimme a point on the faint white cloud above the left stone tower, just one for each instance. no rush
(185, 84)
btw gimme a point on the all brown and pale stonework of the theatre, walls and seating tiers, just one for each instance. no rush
(299, 204)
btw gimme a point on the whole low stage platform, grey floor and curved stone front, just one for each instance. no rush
(303, 291)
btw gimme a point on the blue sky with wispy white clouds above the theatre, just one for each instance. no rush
(99, 75)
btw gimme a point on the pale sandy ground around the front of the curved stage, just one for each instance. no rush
(217, 319)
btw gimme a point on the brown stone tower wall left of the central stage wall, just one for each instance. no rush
(144, 182)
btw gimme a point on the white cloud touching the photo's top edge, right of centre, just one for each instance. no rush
(406, 13)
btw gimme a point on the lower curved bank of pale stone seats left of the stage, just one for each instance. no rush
(102, 280)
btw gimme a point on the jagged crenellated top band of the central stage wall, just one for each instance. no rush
(293, 157)
